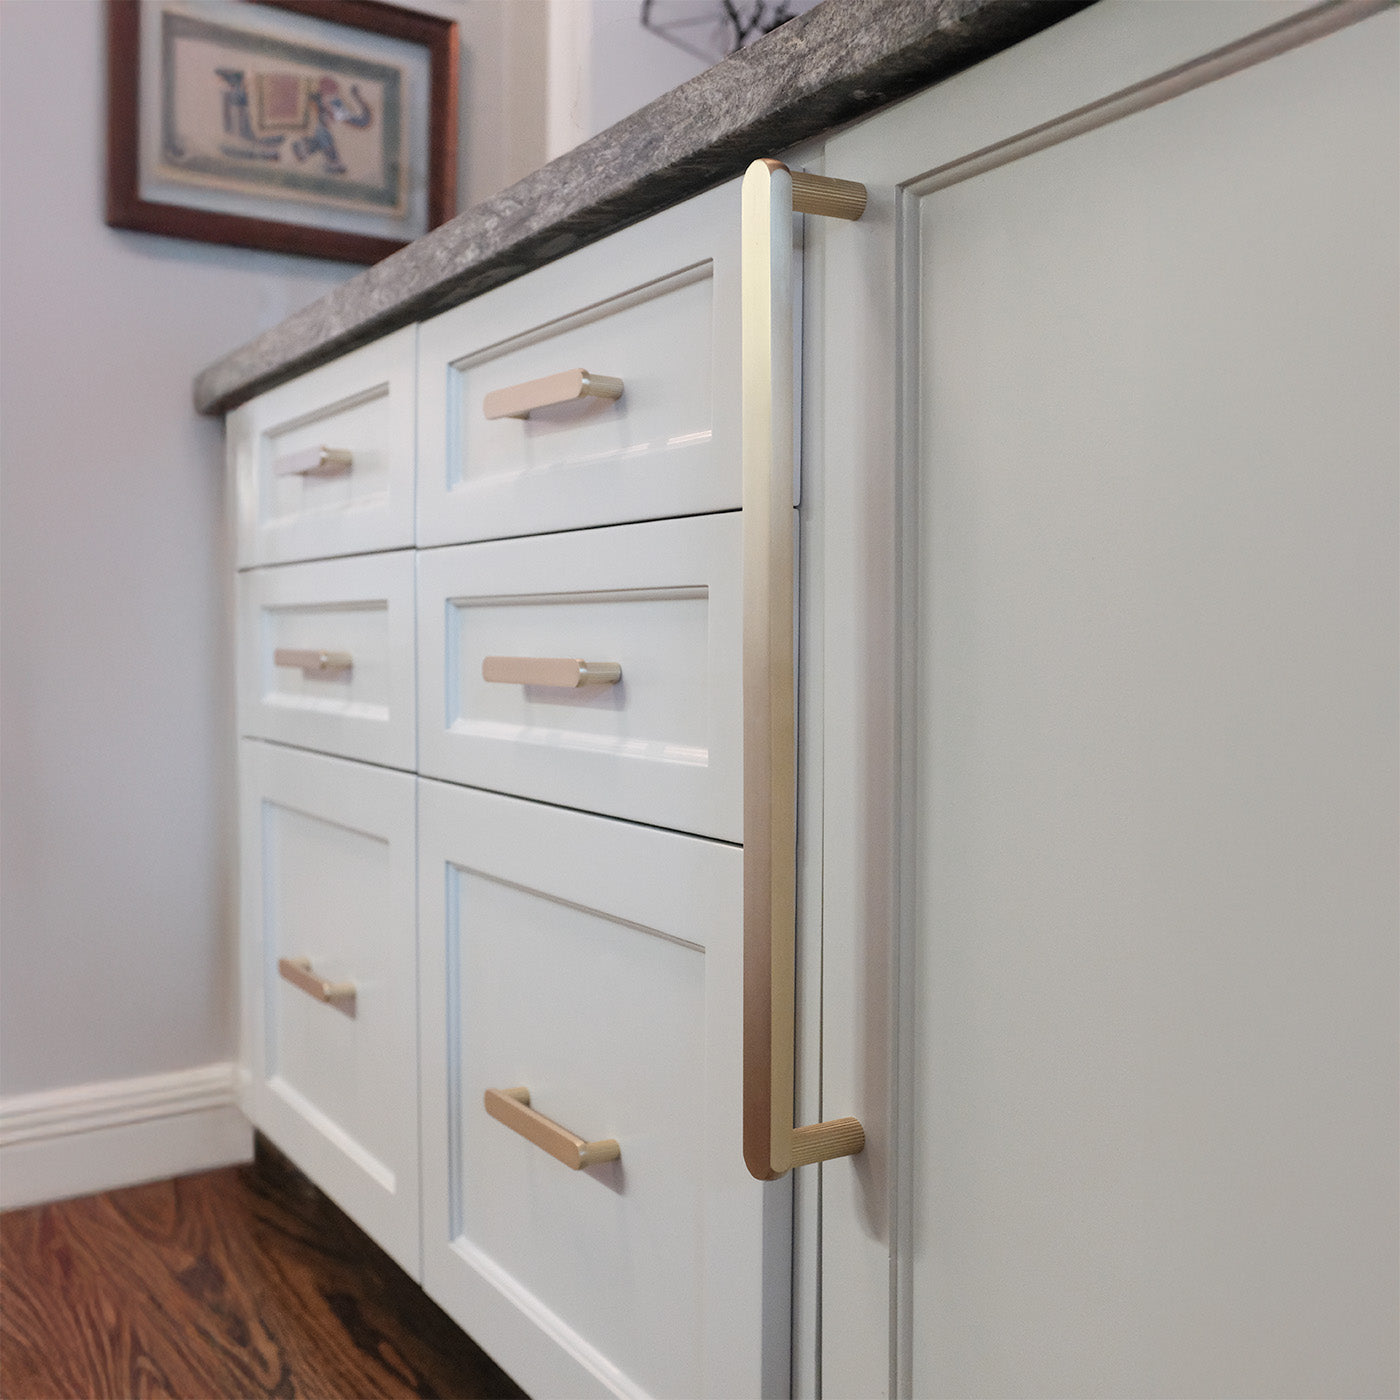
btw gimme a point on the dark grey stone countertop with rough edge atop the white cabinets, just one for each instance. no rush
(839, 61)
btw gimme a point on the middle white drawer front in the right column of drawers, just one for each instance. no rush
(663, 745)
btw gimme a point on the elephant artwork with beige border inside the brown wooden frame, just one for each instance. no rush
(281, 118)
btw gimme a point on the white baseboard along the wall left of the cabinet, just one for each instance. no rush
(97, 1137)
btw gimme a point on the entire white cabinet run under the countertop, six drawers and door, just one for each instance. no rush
(1095, 759)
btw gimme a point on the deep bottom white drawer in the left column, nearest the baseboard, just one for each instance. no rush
(328, 874)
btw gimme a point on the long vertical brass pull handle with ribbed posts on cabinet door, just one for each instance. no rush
(772, 1143)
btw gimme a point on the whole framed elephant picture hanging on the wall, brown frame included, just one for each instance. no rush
(303, 127)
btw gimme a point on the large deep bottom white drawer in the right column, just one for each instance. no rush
(598, 965)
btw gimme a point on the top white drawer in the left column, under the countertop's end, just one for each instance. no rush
(324, 465)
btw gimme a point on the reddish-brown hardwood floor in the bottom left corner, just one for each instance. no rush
(239, 1283)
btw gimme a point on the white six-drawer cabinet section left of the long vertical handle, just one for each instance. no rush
(534, 934)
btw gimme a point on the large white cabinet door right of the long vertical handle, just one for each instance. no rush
(1149, 1070)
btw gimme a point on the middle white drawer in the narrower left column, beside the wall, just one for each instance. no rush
(327, 657)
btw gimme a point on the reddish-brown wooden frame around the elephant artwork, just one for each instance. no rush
(127, 209)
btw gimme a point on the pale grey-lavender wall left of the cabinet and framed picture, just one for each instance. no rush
(115, 941)
